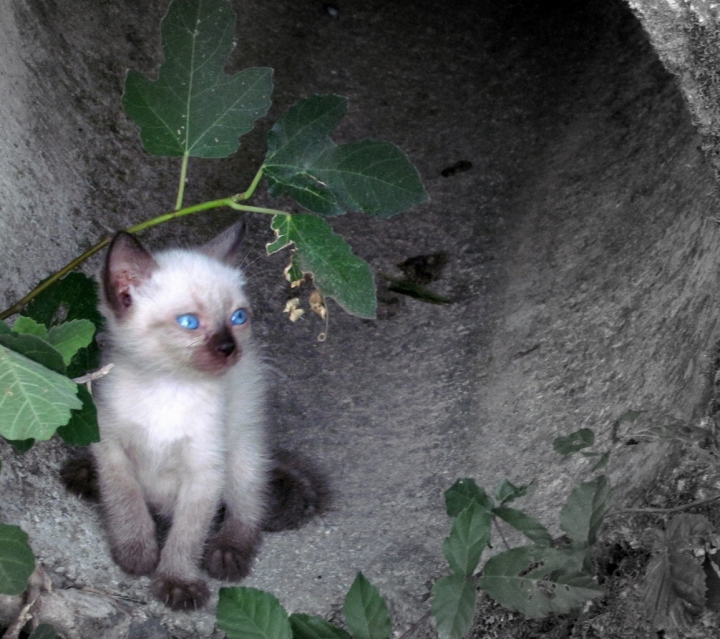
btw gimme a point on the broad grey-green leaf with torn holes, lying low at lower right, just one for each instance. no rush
(537, 581)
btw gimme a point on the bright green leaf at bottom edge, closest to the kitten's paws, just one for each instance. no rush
(248, 613)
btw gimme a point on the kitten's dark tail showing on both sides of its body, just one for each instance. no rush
(298, 491)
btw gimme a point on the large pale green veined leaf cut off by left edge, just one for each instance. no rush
(34, 401)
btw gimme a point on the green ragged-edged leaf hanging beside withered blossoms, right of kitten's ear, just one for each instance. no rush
(336, 271)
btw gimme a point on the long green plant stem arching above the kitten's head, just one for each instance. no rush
(205, 206)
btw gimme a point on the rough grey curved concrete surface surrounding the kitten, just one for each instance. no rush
(581, 261)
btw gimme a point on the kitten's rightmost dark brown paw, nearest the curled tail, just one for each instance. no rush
(230, 553)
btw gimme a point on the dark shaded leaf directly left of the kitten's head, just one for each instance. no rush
(73, 297)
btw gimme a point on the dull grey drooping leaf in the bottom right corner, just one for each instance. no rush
(675, 581)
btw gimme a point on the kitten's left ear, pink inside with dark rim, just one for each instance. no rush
(128, 264)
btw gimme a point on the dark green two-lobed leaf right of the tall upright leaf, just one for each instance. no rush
(368, 176)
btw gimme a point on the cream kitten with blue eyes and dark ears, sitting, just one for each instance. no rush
(181, 419)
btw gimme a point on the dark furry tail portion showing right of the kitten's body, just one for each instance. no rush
(298, 492)
